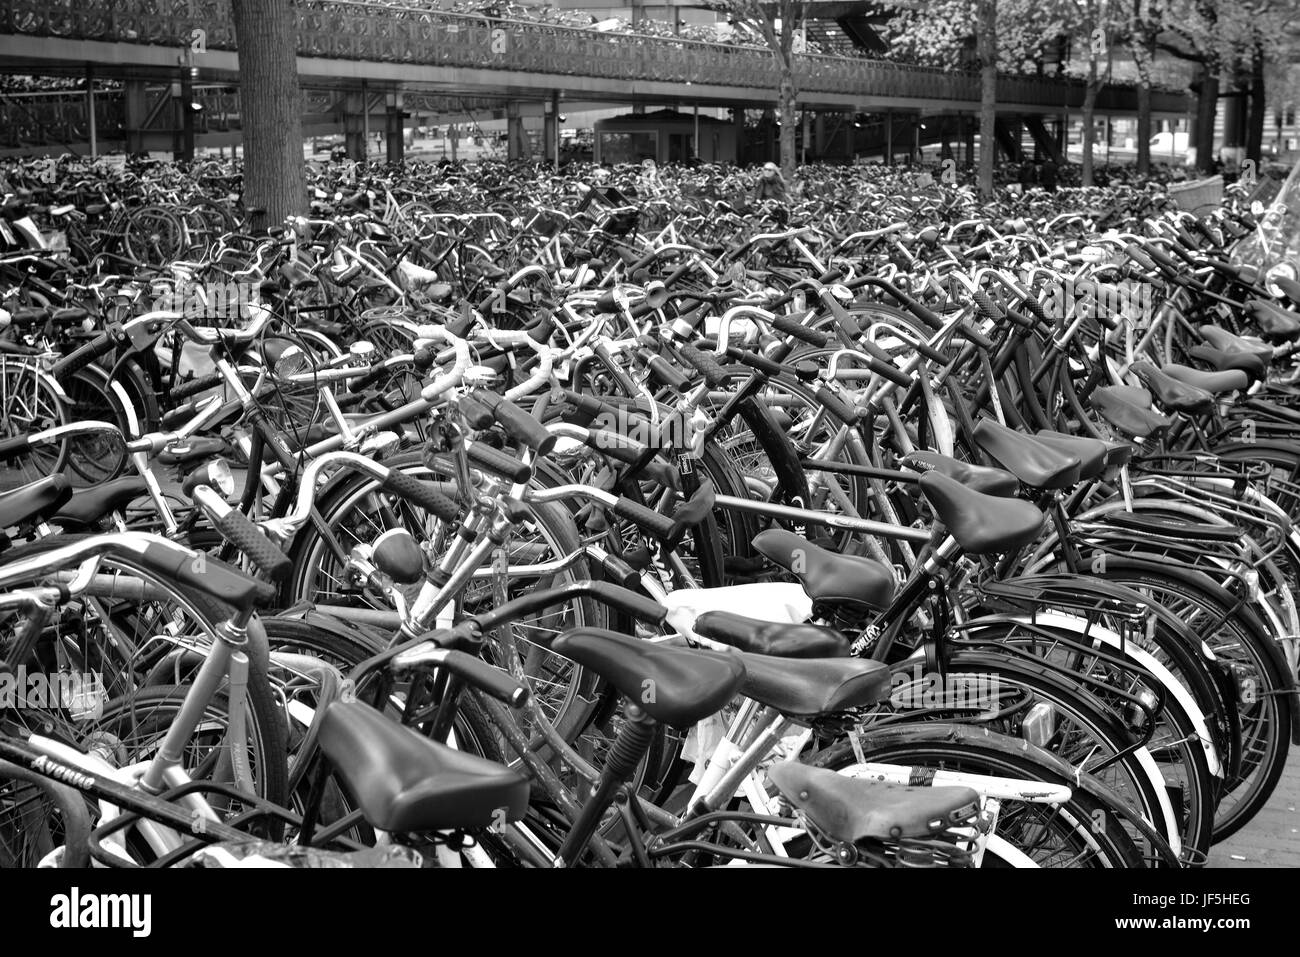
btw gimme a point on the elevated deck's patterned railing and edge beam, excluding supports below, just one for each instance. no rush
(343, 42)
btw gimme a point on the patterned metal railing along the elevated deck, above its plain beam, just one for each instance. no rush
(409, 34)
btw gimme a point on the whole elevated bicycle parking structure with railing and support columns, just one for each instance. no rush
(367, 66)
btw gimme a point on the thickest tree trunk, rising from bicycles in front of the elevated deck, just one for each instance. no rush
(271, 110)
